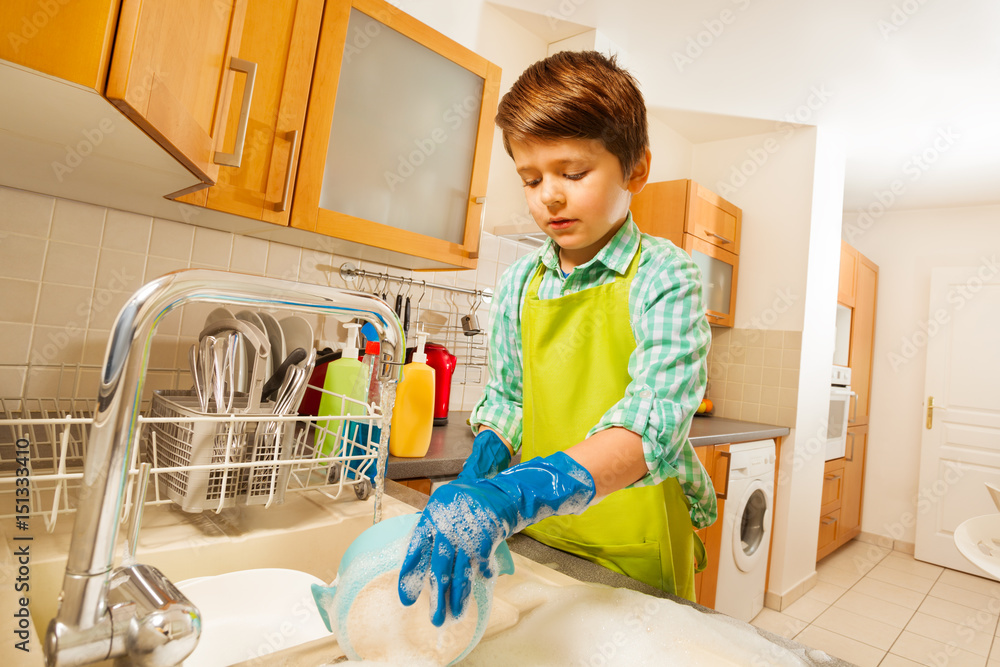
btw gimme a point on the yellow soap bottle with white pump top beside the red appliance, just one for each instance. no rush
(413, 414)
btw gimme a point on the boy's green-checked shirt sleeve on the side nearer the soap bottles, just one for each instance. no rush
(501, 405)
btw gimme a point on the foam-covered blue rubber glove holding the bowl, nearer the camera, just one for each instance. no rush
(465, 520)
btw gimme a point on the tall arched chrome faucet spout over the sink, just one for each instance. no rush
(83, 629)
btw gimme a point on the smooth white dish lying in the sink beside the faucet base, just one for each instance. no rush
(252, 613)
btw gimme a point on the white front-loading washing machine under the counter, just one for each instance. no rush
(746, 530)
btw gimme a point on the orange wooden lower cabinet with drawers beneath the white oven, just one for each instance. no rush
(843, 494)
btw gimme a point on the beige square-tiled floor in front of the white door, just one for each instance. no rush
(876, 607)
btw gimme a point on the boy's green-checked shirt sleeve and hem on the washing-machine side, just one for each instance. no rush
(669, 373)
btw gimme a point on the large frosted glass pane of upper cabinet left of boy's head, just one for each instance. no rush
(403, 134)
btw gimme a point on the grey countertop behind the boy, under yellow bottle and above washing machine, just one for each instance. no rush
(452, 443)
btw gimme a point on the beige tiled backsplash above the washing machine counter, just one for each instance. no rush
(753, 374)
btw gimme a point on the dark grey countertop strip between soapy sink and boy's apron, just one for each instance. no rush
(584, 570)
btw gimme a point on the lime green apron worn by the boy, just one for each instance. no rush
(576, 351)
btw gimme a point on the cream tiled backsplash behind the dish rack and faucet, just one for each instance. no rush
(66, 268)
